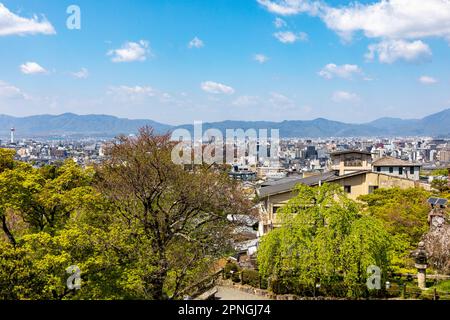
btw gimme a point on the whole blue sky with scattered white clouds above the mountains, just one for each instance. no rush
(178, 61)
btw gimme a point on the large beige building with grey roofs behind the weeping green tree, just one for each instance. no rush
(353, 170)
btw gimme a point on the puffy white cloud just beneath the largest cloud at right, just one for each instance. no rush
(389, 51)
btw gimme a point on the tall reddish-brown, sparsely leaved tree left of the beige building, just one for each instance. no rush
(175, 219)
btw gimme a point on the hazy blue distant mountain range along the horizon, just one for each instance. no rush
(70, 124)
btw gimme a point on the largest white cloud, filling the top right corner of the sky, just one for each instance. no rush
(393, 19)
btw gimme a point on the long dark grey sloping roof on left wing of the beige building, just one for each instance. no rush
(288, 184)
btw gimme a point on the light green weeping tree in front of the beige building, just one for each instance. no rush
(323, 238)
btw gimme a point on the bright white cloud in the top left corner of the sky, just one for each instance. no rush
(12, 24)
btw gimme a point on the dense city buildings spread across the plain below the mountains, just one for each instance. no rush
(296, 155)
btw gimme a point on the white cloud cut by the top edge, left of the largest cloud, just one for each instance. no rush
(289, 7)
